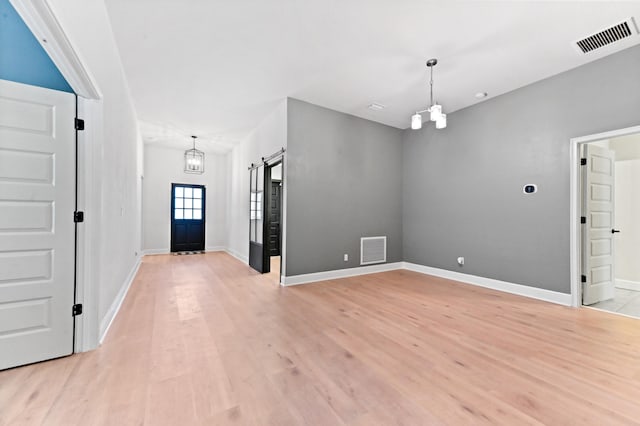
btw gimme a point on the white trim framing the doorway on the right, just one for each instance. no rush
(574, 210)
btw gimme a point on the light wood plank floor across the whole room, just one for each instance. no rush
(204, 340)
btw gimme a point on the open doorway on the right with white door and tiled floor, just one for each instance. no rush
(609, 237)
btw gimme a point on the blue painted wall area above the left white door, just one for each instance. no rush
(22, 59)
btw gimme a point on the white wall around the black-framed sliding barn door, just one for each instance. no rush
(267, 138)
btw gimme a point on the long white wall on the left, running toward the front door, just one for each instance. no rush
(113, 212)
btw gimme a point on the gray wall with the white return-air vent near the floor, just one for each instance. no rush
(344, 181)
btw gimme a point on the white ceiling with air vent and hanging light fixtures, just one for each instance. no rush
(216, 68)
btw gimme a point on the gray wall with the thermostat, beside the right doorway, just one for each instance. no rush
(462, 192)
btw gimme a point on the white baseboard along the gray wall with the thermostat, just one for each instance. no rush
(519, 289)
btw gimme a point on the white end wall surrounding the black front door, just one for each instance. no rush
(164, 166)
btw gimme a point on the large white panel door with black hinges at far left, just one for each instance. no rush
(37, 235)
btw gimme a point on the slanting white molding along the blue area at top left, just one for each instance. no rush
(41, 20)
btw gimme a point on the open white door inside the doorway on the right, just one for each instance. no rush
(597, 236)
